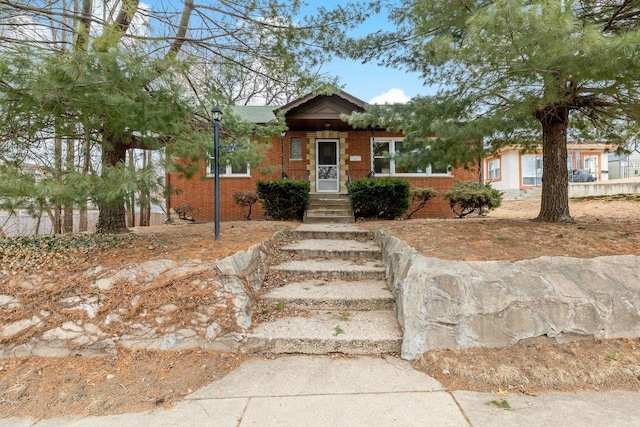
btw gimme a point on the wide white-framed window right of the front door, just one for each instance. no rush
(384, 163)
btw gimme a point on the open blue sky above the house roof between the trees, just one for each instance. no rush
(371, 82)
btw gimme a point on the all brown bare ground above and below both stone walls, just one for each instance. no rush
(141, 380)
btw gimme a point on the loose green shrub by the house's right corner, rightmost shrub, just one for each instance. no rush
(466, 197)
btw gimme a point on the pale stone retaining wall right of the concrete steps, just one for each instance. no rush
(452, 304)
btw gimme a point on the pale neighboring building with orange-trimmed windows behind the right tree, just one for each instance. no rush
(513, 171)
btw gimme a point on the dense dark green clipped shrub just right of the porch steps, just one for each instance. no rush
(385, 198)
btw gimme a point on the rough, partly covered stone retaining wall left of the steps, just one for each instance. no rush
(229, 284)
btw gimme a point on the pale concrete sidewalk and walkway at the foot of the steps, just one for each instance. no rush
(360, 391)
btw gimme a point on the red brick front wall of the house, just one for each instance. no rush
(198, 191)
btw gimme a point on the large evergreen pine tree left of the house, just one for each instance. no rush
(115, 72)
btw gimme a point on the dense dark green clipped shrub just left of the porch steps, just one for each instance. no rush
(284, 199)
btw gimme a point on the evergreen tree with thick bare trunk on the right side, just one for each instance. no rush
(511, 73)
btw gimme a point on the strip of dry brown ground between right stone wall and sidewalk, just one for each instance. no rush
(576, 366)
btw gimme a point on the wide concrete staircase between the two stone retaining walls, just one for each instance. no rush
(335, 281)
